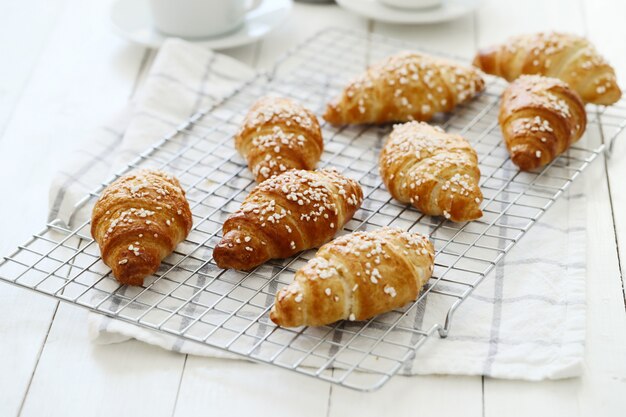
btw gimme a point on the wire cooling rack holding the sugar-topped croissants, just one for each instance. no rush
(192, 298)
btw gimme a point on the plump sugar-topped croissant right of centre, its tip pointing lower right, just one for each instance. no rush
(435, 171)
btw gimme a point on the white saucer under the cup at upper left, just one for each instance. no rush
(132, 20)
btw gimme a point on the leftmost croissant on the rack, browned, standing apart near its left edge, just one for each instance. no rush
(138, 221)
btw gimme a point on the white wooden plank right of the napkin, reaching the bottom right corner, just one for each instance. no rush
(604, 381)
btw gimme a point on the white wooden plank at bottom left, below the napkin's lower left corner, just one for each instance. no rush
(76, 378)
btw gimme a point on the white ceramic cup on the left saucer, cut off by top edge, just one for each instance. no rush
(199, 18)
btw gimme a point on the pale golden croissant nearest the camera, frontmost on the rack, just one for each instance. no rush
(356, 277)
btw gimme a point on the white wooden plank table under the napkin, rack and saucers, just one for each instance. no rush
(64, 72)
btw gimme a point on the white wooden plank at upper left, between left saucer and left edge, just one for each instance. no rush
(81, 79)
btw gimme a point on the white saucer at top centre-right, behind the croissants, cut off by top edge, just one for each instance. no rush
(373, 9)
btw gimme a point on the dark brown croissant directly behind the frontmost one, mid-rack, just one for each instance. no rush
(286, 214)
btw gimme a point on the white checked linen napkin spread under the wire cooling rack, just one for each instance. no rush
(526, 320)
